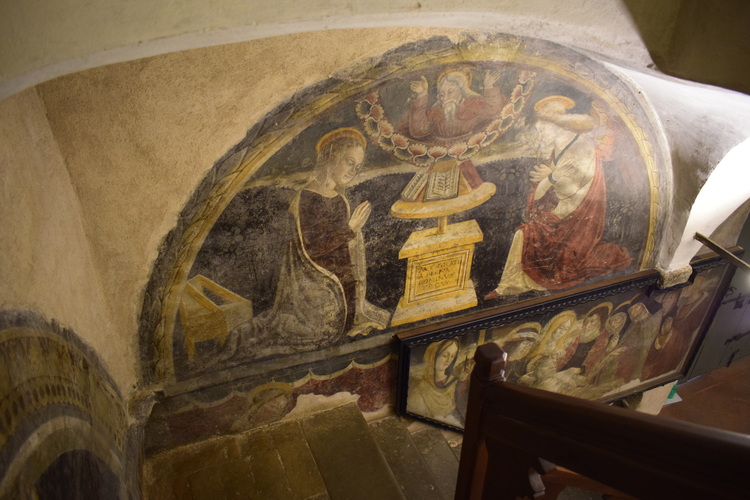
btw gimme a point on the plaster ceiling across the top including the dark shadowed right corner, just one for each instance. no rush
(693, 40)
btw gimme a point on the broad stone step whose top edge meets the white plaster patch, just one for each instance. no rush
(348, 458)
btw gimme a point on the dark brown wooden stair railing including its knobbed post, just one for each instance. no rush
(522, 442)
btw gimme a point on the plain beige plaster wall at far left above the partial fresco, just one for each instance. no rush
(46, 263)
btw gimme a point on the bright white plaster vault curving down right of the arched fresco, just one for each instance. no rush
(702, 125)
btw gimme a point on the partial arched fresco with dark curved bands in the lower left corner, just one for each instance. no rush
(63, 426)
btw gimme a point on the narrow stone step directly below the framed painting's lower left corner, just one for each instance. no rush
(407, 463)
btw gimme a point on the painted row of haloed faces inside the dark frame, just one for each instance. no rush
(622, 345)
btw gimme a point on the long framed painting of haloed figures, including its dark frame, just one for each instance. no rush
(600, 343)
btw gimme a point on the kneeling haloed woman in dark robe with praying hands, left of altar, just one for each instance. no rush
(320, 297)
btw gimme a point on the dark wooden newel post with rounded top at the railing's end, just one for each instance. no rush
(489, 367)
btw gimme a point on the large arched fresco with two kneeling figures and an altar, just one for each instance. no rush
(285, 266)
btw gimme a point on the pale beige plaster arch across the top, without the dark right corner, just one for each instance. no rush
(47, 38)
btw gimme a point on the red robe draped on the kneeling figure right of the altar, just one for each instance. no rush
(560, 253)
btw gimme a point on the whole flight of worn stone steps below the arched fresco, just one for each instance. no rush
(333, 454)
